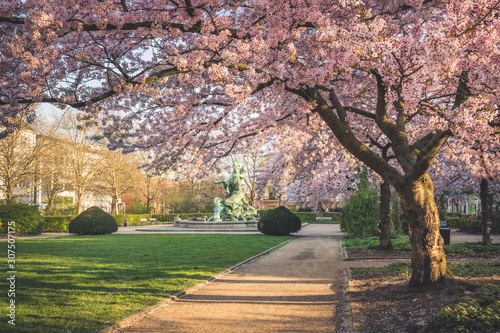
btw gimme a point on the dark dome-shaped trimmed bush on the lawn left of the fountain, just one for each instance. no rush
(93, 221)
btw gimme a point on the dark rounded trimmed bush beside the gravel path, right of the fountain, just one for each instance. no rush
(279, 222)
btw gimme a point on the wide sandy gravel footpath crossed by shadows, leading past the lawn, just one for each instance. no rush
(295, 288)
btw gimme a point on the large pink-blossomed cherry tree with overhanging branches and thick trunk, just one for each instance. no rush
(201, 75)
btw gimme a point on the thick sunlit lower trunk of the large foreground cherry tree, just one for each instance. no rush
(427, 256)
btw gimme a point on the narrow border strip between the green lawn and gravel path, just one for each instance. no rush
(171, 299)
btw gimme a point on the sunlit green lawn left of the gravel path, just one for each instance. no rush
(85, 283)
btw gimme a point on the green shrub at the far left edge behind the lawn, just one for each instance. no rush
(28, 218)
